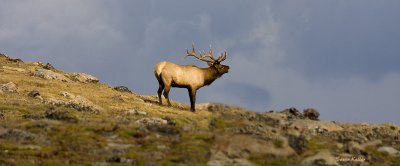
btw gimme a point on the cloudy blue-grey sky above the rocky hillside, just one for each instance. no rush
(340, 57)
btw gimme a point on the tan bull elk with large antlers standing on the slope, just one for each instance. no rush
(189, 76)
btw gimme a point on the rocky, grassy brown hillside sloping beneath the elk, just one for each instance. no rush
(50, 117)
